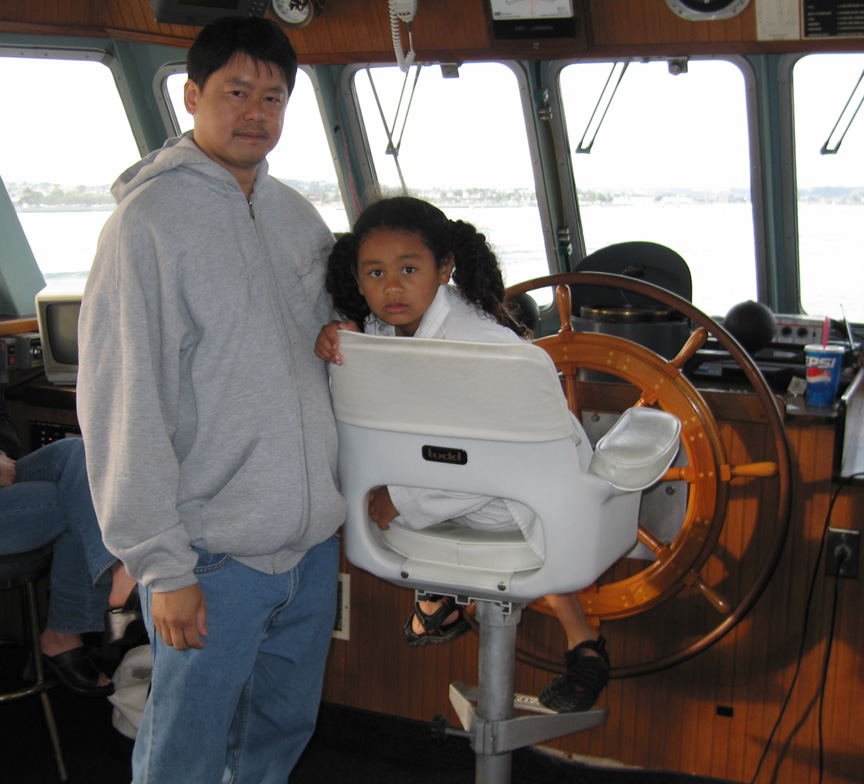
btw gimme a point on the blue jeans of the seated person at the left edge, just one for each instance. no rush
(50, 502)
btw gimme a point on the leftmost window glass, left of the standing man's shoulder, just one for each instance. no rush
(59, 157)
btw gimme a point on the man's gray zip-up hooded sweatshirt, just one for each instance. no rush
(206, 415)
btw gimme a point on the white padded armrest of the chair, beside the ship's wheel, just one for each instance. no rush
(638, 449)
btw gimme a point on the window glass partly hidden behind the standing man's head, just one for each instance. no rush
(302, 158)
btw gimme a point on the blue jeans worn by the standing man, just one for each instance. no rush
(242, 708)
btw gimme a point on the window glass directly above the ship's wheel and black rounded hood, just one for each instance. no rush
(669, 164)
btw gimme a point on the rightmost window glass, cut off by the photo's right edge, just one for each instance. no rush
(830, 196)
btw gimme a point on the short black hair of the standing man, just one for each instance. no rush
(261, 39)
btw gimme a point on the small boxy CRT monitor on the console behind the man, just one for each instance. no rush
(57, 314)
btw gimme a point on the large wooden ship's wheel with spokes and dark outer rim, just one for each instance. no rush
(707, 472)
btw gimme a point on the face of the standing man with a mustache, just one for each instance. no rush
(239, 114)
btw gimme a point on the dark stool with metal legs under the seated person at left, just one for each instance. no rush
(21, 571)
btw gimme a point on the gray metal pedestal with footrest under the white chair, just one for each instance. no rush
(492, 724)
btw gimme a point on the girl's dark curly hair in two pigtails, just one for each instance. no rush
(476, 271)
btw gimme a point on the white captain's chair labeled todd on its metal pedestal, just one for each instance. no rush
(489, 419)
